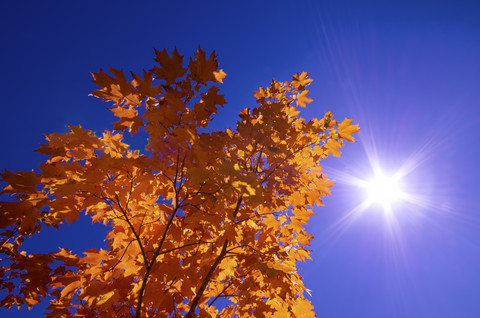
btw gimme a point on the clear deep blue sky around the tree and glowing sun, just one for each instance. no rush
(406, 71)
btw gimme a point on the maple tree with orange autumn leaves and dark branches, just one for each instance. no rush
(198, 217)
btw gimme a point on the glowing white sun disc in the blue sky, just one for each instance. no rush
(383, 190)
